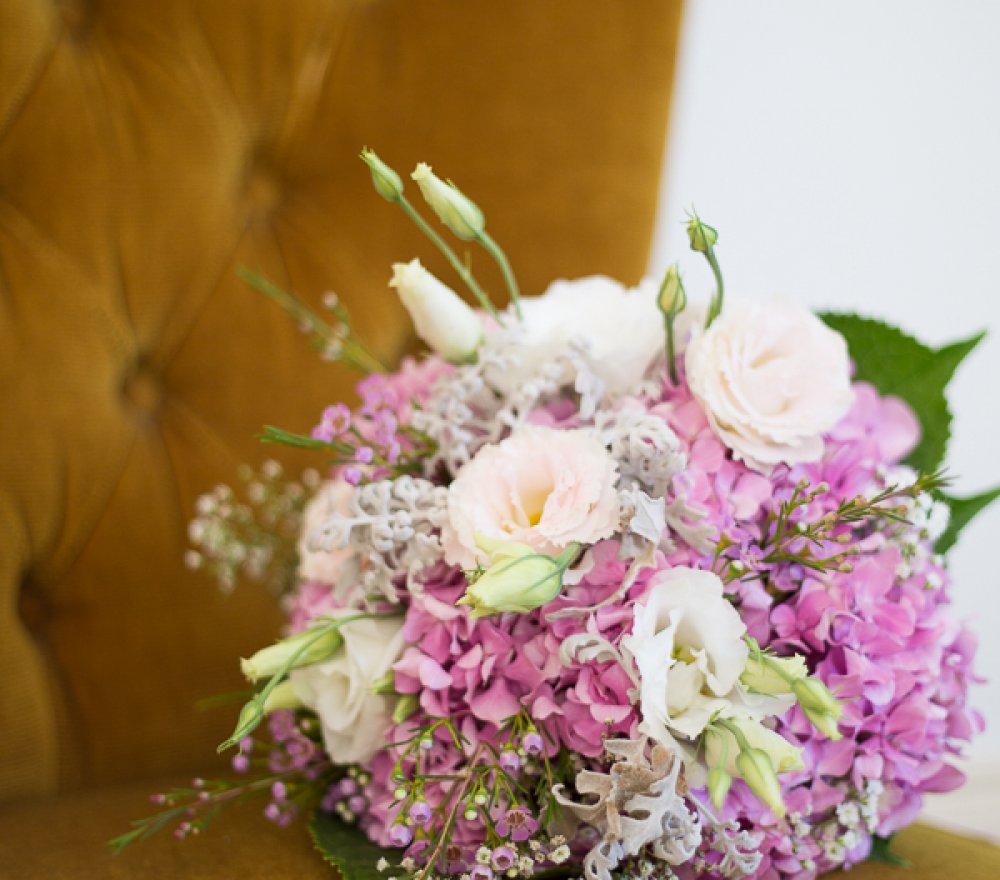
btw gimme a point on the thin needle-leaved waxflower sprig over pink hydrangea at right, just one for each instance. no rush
(825, 544)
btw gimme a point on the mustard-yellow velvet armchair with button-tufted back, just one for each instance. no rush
(147, 151)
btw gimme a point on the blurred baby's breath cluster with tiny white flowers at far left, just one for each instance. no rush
(253, 536)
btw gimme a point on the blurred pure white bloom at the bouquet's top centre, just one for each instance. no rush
(623, 330)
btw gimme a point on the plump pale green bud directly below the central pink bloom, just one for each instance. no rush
(519, 579)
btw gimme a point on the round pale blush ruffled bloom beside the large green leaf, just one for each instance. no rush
(772, 378)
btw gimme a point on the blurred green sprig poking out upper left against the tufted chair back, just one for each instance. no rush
(338, 342)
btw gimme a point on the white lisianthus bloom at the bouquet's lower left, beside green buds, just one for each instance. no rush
(353, 719)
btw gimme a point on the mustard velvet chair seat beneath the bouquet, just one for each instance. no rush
(65, 837)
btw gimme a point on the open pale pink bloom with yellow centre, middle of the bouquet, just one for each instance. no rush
(540, 487)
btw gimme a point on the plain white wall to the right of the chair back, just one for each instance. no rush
(849, 154)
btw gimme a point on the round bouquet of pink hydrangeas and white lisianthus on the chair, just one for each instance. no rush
(609, 584)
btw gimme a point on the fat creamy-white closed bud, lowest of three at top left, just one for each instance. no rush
(446, 323)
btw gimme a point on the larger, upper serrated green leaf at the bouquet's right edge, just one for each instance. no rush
(898, 364)
